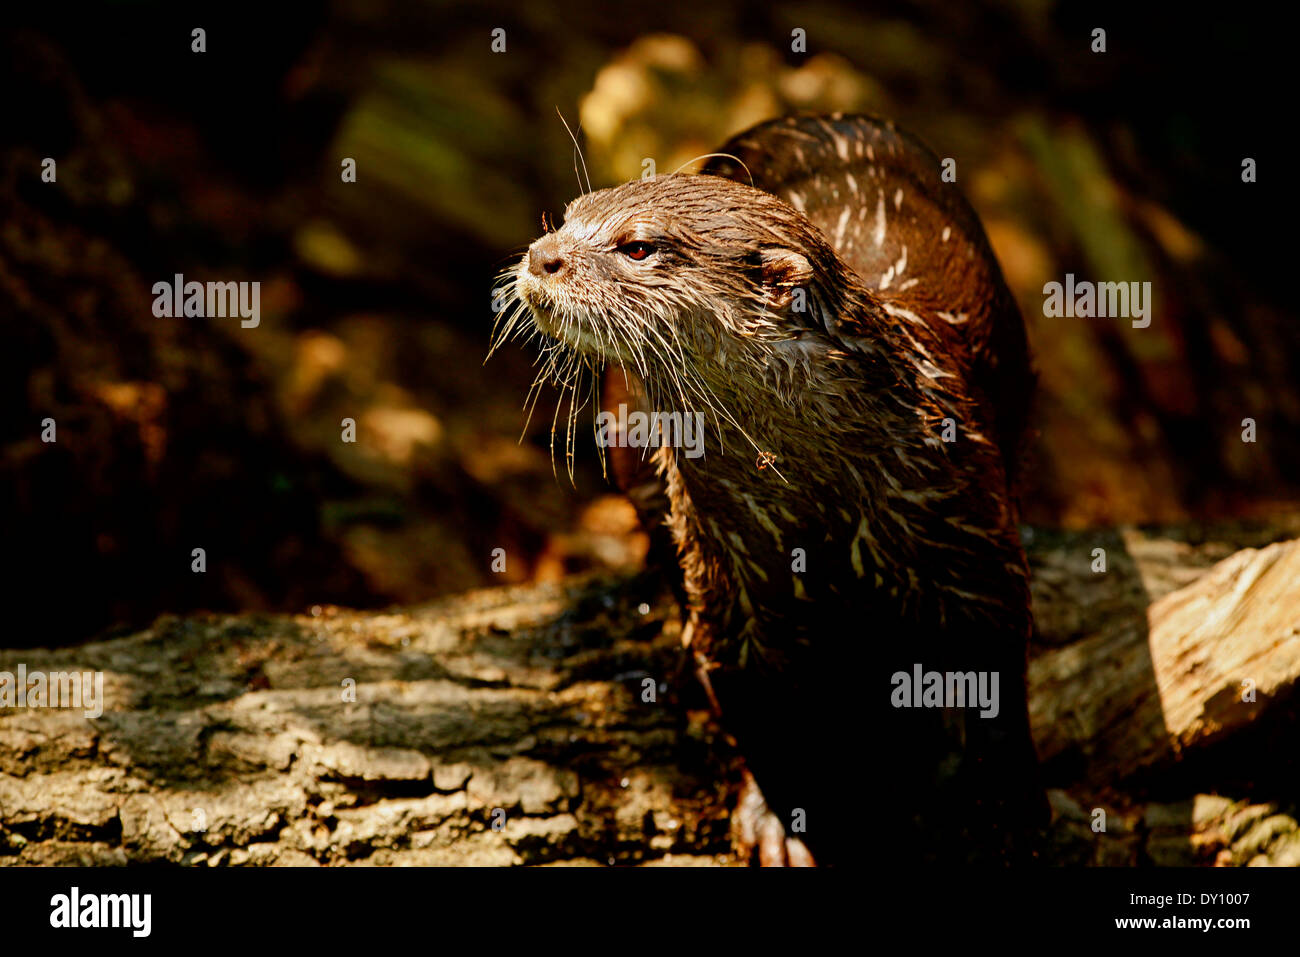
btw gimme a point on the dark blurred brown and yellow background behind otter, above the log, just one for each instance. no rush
(226, 166)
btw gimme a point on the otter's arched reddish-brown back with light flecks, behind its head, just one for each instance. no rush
(879, 197)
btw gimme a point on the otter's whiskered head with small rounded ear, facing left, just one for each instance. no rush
(681, 267)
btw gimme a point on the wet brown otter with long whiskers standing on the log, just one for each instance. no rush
(855, 587)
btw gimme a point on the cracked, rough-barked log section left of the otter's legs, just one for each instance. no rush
(229, 741)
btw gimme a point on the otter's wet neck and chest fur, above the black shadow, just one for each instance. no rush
(851, 483)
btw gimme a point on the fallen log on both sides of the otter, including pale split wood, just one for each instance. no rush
(235, 739)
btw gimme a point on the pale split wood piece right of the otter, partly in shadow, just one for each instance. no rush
(1203, 662)
